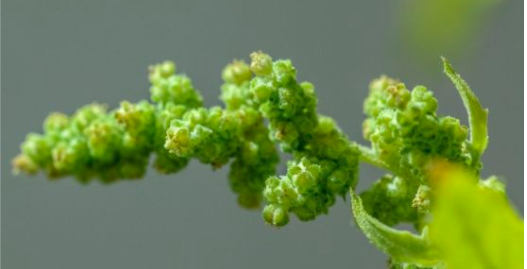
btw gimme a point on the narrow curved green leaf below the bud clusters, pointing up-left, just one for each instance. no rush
(401, 246)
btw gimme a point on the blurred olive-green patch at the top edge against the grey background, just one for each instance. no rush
(430, 28)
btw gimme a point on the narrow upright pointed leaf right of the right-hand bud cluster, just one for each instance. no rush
(477, 115)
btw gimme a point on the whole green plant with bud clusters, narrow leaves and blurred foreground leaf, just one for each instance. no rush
(433, 162)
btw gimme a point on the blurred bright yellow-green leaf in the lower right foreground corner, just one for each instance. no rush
(474, 226)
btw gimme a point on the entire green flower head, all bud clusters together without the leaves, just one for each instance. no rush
(264, 103)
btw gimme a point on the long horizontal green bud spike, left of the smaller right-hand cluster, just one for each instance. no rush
(113, 145)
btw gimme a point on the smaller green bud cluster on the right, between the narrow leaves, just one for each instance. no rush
(406, 136)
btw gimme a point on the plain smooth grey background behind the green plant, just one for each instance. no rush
(59, 55)
